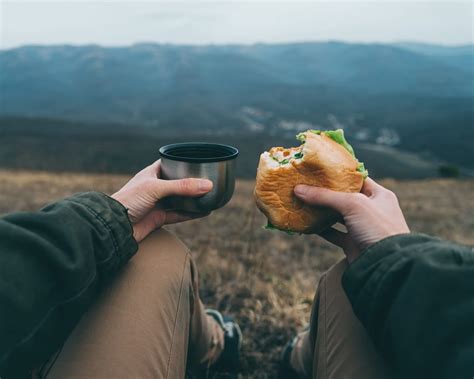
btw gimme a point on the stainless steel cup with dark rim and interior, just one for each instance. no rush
(215, 162)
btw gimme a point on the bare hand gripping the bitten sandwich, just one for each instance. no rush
(369, 216)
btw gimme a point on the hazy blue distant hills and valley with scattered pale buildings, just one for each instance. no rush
(414, 96)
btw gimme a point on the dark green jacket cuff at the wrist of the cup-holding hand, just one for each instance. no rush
(113, 217)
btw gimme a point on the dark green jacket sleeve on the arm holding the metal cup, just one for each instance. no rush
(53, 263)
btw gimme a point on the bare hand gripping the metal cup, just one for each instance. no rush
(142, 197)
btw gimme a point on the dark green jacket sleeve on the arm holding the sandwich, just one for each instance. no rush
(415, 296)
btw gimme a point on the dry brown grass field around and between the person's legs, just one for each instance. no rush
(266, 279)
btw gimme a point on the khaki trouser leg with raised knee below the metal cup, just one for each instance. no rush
(140, 326)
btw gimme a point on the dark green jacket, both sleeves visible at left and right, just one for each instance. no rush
(413, 293)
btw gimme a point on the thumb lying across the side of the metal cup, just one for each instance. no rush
(182, 187)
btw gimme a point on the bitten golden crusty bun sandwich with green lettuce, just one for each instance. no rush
(324, 159)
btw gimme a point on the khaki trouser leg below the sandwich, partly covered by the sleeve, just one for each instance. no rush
(337, 345)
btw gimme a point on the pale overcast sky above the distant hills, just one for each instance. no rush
(197, 22)
